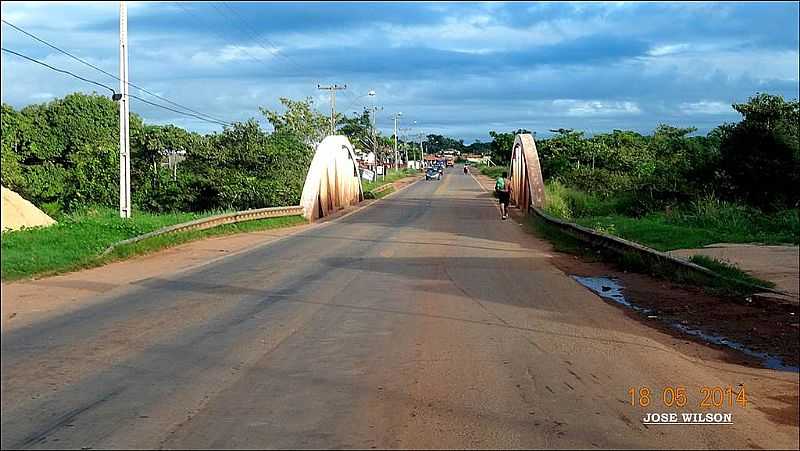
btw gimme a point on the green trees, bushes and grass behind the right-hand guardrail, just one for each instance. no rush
(671, 190)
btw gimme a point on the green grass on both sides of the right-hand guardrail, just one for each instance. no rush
(695, 225)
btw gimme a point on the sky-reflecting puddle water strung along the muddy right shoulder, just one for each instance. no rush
(609, 288)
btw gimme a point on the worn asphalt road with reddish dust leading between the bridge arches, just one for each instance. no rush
(423, 321)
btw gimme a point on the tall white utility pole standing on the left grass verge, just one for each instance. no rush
(124, 116)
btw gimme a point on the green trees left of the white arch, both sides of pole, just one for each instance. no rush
(64, 156)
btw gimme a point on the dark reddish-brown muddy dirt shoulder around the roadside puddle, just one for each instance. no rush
(759, 325)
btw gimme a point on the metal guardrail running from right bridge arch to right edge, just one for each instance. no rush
(621, 246)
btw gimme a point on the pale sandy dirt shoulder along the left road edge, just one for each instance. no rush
(27, 301)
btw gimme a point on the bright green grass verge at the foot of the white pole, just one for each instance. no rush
(79, 238)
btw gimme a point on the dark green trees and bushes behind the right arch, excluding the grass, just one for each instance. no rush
(756, 161)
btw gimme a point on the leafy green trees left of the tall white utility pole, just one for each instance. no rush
(64, 154)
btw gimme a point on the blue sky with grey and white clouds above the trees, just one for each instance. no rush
(457, 69)
